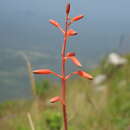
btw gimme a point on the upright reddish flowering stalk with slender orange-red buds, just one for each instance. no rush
(64, 57)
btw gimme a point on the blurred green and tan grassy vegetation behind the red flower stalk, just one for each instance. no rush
(102, 107)
